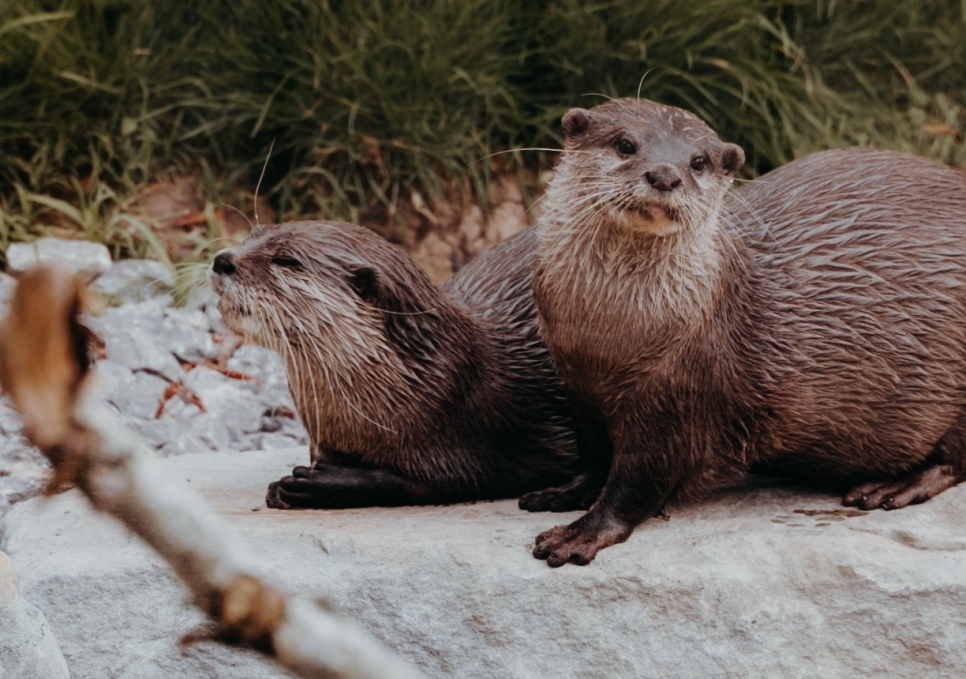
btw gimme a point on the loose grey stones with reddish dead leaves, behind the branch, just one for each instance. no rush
(176, 375)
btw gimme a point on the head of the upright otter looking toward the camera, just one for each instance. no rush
(648, 167)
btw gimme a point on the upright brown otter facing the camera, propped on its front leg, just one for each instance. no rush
(811, 324)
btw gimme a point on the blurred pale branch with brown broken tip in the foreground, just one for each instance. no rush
(44, 368)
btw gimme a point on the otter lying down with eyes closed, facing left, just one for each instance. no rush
(410, 394)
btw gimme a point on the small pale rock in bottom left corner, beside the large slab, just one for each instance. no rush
(28, 648)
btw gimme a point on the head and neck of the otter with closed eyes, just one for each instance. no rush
(354, 318)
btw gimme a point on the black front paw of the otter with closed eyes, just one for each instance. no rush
(331, 486)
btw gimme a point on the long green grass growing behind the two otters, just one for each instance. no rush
(369, 100)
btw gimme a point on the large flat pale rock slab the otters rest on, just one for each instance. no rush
(758, 581)
